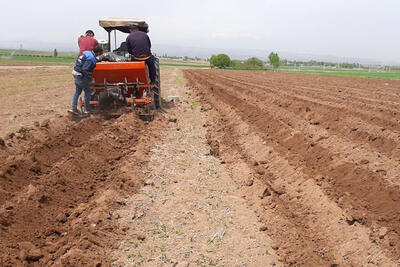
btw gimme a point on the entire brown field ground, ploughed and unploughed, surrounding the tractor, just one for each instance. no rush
(269, 169)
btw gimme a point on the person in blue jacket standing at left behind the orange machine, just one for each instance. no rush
(82, 73)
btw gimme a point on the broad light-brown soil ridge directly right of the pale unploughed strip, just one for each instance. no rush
(302, 212)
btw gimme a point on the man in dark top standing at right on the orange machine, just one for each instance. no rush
(139, 46)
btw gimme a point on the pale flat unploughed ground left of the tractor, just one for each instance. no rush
(30, 93)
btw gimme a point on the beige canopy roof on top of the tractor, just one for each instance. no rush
(123, 24)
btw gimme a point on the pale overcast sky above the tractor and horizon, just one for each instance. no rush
(348, 28)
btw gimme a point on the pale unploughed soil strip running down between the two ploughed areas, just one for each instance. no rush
(191, 211)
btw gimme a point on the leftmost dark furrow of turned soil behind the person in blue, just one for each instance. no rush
(31, 153)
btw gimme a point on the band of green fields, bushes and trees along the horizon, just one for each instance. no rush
(29, 57)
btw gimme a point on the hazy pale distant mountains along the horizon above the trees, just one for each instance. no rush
(176, 50)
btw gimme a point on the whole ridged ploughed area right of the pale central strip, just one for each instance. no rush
(323, 155)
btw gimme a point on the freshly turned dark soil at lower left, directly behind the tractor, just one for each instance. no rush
(61, 183)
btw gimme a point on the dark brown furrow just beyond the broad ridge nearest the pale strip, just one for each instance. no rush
(363, 194)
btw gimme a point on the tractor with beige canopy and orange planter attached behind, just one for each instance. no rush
(123, 83)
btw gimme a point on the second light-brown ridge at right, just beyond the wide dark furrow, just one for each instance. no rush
(331, 138)
